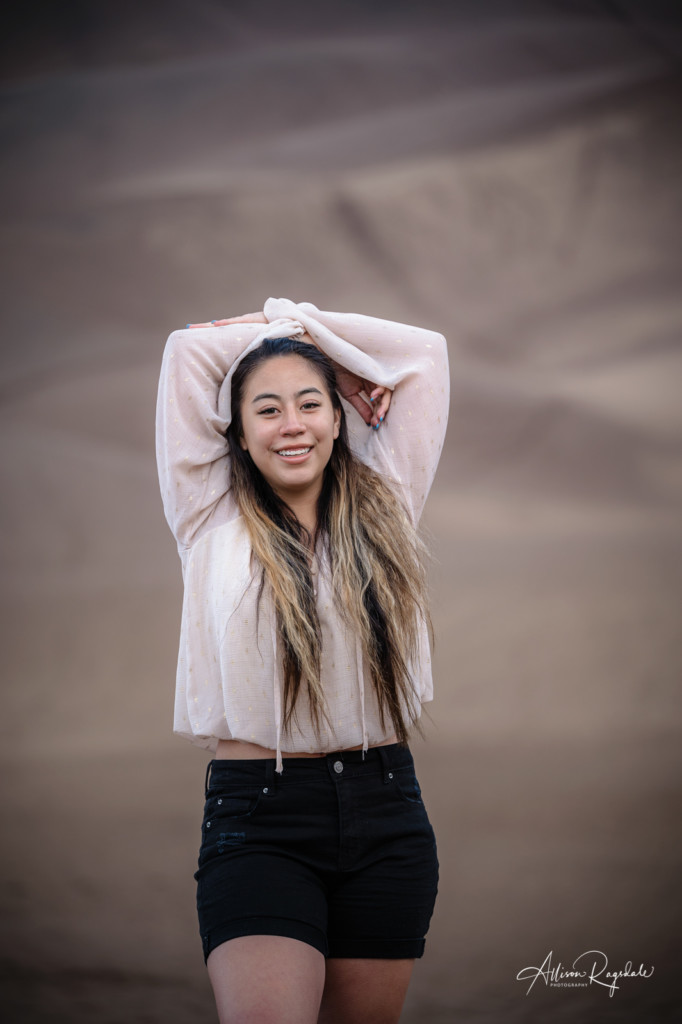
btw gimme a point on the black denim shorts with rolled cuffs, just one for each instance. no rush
(336, 851)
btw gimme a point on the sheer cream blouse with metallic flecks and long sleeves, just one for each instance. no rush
(230, 679)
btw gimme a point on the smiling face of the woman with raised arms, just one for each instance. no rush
(289, 426)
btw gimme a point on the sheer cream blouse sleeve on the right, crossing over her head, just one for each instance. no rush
(413, 363)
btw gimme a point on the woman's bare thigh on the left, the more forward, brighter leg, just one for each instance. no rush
(267, 979)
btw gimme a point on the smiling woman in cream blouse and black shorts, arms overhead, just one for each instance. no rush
(296, 449)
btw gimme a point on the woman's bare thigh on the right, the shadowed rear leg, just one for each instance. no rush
(365, 992)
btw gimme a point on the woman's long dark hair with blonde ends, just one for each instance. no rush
(376, 557)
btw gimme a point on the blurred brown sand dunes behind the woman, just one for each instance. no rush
(508, 175)
